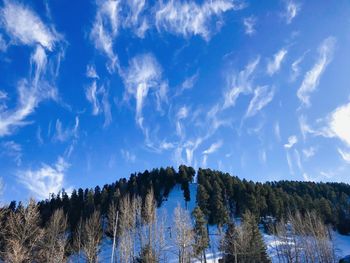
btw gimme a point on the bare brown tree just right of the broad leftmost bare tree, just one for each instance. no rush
(55, 240)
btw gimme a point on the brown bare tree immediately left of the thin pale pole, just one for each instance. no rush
(91, 237)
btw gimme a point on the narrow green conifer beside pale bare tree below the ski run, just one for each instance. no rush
(201, 238)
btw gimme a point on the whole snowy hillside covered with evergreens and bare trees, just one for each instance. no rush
(152, 205)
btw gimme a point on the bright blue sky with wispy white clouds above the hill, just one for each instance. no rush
(91, 91)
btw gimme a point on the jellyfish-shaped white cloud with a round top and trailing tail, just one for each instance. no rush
(144, 73)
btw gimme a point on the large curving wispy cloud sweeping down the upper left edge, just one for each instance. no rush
(24, 27)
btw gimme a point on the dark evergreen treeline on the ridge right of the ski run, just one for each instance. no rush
(222, 197)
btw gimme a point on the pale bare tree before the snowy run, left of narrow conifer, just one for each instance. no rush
(184, 236)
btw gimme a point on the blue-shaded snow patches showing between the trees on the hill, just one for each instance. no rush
(176, 197)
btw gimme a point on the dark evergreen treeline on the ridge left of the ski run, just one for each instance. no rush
(81, 203)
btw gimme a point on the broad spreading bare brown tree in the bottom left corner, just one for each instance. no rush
(23, 234)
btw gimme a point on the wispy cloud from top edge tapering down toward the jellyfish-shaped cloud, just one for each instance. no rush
(105, 29)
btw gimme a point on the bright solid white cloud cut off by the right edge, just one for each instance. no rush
(339, 123)
